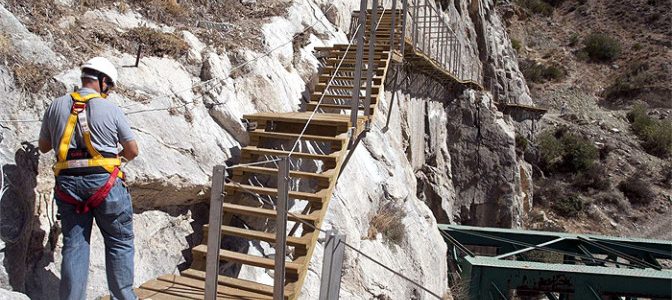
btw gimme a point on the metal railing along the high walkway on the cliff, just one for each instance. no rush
(422, 26)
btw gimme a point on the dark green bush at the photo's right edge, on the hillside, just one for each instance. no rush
(655, 135)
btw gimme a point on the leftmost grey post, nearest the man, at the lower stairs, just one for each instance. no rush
(214, 232)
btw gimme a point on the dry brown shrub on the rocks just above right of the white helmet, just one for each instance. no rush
(157, 43)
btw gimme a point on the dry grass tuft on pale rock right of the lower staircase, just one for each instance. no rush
(388, 221)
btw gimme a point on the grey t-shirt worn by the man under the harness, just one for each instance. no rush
(107, 123)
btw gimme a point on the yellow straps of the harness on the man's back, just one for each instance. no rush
(78, 115)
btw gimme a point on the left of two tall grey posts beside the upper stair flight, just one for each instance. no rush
(357, 82)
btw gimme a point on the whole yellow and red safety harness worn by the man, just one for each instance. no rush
(84, 161)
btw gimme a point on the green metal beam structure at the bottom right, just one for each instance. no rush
(496, 263)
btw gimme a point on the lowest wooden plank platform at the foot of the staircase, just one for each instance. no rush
(191, 288)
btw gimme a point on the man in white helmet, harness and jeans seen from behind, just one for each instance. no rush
(84, 130)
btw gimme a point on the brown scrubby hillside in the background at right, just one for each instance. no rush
(628, 190)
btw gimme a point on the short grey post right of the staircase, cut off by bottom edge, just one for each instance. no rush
(332, 264)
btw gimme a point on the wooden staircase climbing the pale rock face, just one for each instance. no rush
(328, 133)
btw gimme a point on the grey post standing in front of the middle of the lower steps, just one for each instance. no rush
(281, 229)
